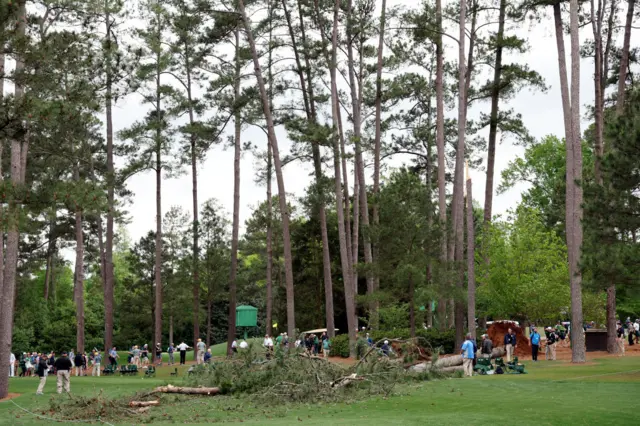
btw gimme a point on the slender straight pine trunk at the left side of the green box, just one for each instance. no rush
(231, 335)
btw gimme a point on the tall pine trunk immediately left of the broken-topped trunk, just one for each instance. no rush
(458, 199)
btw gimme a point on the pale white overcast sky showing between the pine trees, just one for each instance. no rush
(541, 112)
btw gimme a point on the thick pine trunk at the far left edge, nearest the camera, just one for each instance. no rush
(13, 231)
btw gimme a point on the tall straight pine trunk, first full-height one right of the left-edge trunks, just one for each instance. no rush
(108, 249)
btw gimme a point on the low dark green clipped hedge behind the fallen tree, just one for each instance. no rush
(434, 338)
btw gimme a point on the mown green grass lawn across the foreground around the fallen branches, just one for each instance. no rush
(552, 393)
